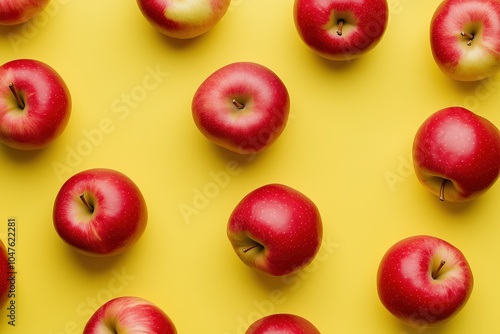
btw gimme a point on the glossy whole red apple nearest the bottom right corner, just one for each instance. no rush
(407, 289)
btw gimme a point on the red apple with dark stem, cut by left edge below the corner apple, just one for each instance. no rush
(35, 104)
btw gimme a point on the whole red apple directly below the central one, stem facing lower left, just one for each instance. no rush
(275, 230)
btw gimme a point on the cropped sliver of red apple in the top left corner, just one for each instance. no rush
(20, 11)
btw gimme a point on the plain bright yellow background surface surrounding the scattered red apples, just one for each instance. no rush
(347, 146)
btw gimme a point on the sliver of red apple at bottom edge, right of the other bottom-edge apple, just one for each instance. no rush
(282, 324)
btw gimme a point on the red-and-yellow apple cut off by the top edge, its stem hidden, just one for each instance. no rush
(183, 19)
